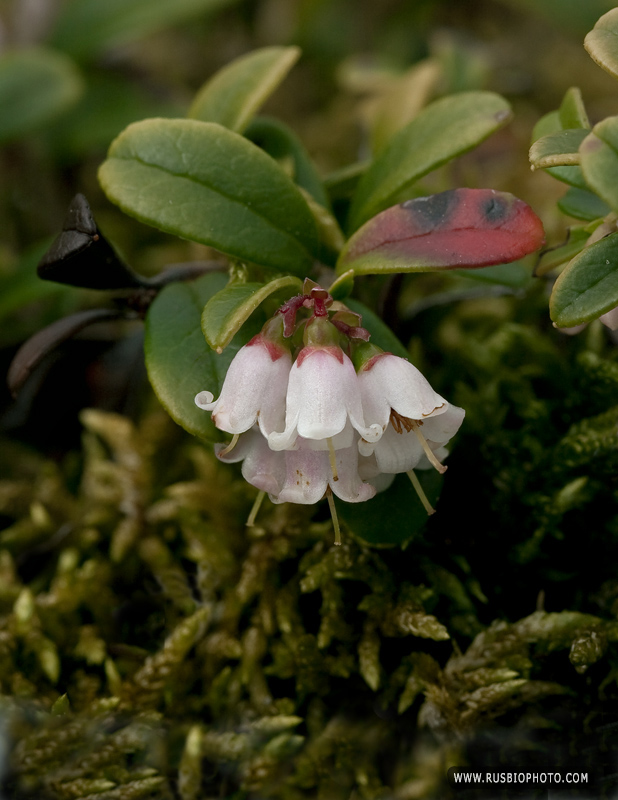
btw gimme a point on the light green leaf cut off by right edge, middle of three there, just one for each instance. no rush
(599, 160)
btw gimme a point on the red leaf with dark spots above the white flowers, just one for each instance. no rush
(458, 229)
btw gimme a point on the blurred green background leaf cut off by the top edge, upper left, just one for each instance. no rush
(85, 27)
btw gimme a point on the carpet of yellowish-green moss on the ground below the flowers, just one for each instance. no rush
(151, 646)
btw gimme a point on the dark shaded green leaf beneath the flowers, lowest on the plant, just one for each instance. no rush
(395, 516)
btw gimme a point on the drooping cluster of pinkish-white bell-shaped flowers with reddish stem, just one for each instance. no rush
(315, 409)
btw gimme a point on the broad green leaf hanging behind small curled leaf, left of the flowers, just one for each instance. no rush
(179, 362)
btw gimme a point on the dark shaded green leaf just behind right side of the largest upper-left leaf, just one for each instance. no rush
(280, 142)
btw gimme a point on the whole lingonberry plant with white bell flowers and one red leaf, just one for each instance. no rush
(323, 401)
